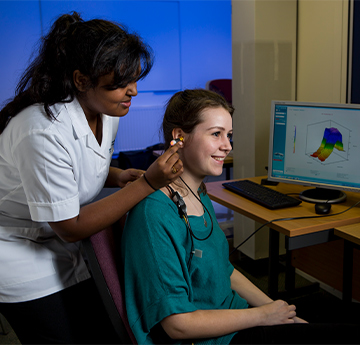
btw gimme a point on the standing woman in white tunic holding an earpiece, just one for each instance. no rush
(56, 143)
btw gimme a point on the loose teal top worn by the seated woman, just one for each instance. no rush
(158, 282)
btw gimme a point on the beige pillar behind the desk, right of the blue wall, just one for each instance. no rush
(264, 68)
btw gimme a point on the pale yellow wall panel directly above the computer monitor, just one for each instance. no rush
(322, 51)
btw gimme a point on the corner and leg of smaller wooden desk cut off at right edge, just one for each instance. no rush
(351, 235)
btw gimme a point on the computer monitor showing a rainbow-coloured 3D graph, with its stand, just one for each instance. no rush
(316, 144)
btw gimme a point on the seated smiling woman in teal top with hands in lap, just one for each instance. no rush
(179, 284)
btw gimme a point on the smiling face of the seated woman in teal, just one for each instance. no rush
(208, 144)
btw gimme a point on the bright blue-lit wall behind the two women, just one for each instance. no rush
(191, 41)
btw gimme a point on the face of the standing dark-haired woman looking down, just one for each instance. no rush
(103, 99)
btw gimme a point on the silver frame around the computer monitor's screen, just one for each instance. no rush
(271, 142)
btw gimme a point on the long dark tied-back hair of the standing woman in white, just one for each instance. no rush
(95, 48)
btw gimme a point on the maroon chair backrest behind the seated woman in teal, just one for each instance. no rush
(100, 250)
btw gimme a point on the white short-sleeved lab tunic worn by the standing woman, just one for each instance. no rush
(48, 170)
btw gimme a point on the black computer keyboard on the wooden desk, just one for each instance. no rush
(262, 195)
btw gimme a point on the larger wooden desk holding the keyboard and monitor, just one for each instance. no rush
(298, 233)
